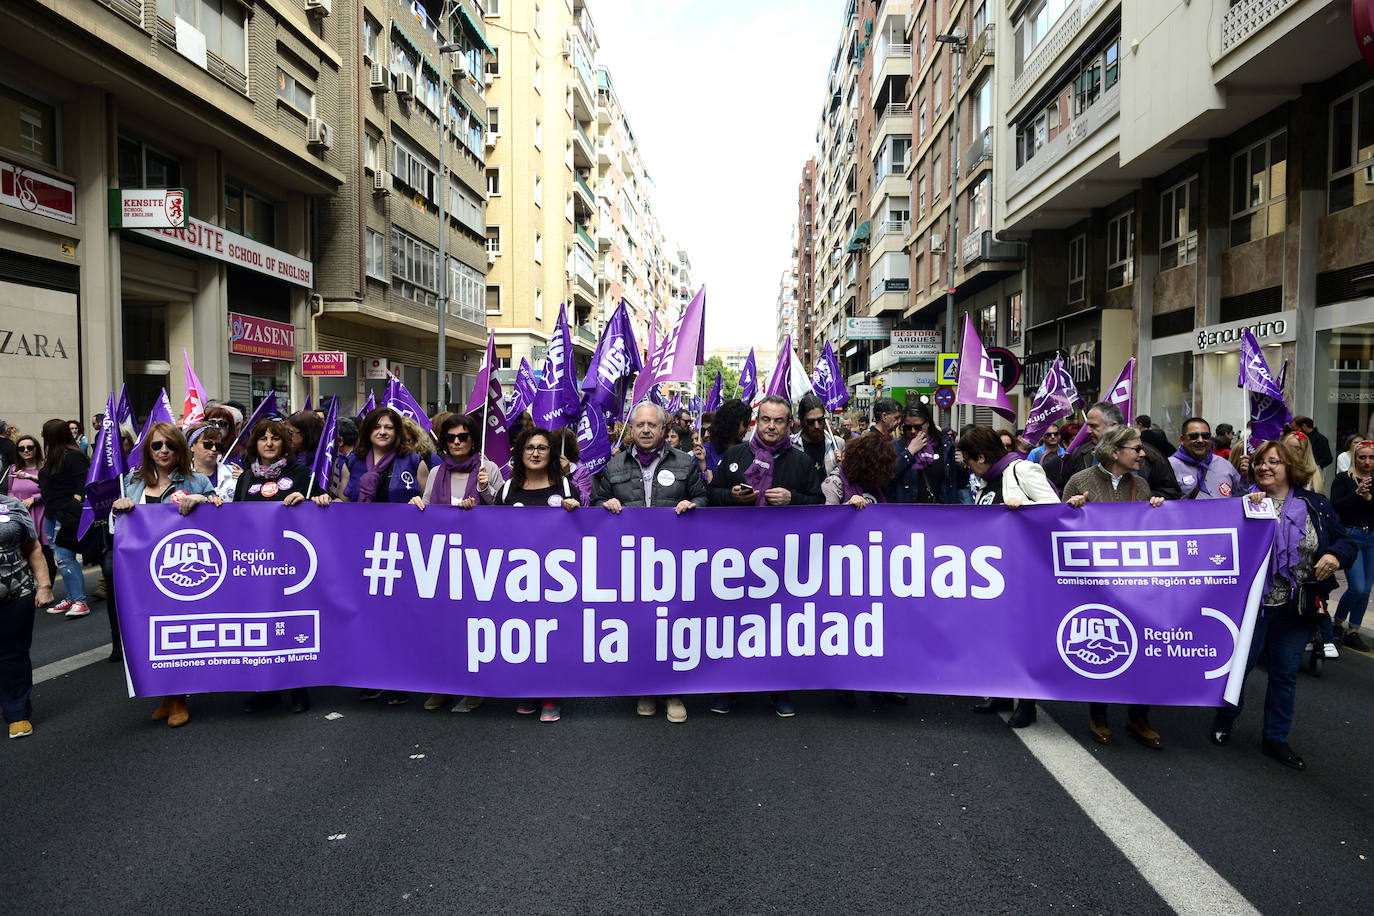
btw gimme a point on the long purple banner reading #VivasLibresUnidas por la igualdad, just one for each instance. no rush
(1118, 604)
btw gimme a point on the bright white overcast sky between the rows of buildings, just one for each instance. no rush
(723, 98)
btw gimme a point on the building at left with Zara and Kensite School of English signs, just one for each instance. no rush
(124, 94)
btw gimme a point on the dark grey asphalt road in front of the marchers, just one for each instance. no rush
(924, 808)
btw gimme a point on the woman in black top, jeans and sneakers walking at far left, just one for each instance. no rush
(63, 484)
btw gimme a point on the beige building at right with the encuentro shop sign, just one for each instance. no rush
(1182, 172)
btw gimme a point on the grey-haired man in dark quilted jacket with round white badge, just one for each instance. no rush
(651, 473)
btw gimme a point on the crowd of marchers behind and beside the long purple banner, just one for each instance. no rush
(767, 455)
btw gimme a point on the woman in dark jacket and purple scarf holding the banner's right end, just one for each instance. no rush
(1310, 545)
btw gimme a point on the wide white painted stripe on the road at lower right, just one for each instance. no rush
(1173, 869)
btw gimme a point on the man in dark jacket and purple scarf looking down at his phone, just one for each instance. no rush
(766, 472)
